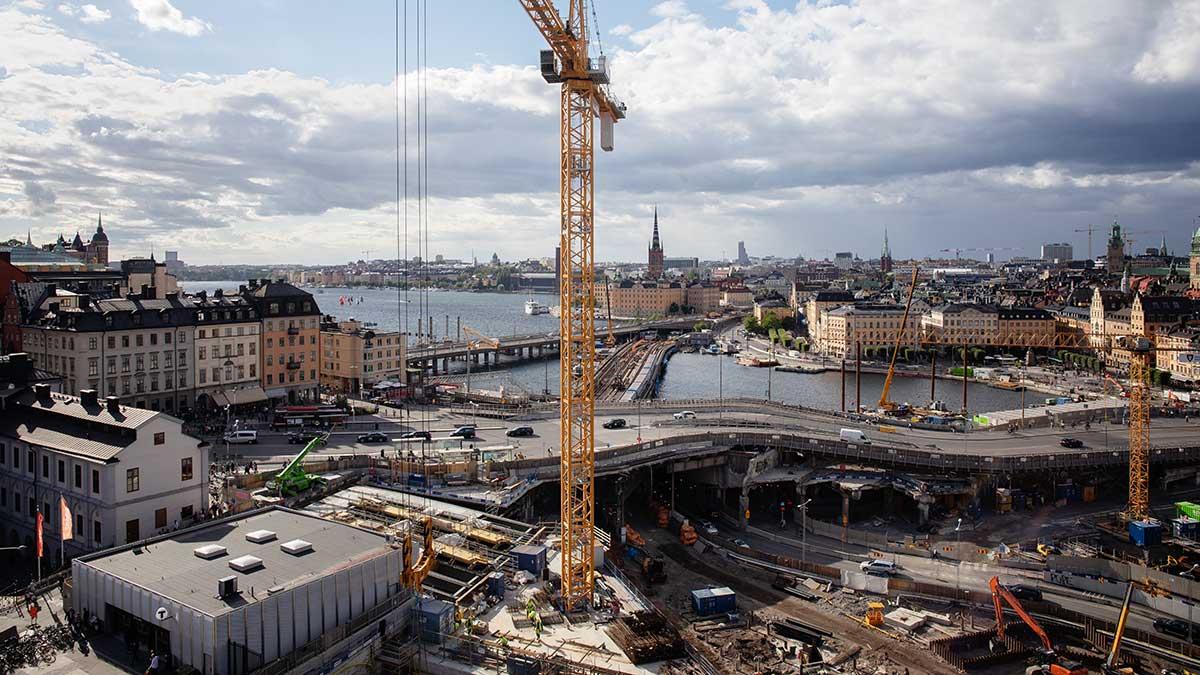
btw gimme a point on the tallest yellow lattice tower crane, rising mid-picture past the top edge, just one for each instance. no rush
(584, 97)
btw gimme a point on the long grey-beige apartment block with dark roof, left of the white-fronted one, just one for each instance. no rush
(136, 349)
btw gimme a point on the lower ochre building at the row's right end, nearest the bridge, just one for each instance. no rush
(356, 357)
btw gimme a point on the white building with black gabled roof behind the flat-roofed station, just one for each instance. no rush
(125, 474)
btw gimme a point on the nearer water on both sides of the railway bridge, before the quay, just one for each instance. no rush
(703, 377)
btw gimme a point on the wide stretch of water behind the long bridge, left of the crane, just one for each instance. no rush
(491, 314)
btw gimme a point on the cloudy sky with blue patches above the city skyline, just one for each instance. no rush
(263, 132)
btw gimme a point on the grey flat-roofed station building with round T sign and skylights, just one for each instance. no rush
(274, 587)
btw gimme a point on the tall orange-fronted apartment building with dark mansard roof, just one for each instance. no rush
(289, 366)
